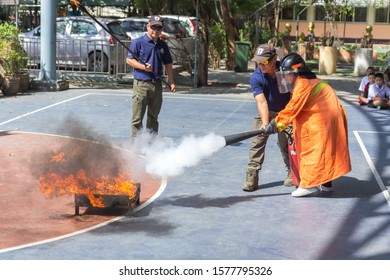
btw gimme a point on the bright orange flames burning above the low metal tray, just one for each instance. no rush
(58, 181)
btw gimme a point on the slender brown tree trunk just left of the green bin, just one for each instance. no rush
(231, 33)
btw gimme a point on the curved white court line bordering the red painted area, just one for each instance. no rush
(161, 189)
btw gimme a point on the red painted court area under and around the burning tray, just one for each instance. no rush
(26, 214)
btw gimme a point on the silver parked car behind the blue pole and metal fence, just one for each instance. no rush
(82, 43)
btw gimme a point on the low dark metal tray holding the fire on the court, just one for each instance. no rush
(109, 200)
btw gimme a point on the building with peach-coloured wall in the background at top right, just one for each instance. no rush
(349, 27)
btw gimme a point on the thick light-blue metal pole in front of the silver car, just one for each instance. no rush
(48, 40)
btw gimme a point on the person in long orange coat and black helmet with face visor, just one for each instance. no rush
(319, 126)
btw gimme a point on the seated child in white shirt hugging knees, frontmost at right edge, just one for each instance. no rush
(379, 93)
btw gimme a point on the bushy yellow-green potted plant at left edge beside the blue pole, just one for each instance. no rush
(12, 58)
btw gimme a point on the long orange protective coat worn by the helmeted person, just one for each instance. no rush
(320, 132)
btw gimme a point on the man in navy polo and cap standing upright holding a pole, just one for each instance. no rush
(147, 86)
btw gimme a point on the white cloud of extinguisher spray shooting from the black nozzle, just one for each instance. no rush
(165, 158)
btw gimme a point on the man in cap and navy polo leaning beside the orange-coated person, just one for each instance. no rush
(269, 102)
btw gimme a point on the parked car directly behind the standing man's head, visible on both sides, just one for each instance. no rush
(136, 27)
